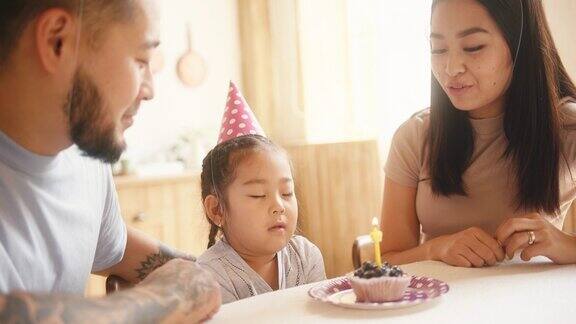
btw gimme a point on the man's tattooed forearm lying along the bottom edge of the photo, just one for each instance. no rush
(179, 291)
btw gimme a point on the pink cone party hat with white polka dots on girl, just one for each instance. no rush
(238, 118)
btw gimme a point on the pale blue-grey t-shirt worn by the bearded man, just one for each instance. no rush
(59, 220)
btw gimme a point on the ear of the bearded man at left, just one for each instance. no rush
(56, 32)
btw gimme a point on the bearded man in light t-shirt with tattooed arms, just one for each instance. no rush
(72, 76)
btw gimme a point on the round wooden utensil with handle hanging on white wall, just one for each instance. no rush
(191, 67)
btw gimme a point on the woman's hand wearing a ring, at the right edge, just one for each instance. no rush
(548, 241)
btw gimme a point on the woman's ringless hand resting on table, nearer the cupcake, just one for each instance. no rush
(472, 247)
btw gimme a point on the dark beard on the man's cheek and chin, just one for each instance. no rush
(90, 130)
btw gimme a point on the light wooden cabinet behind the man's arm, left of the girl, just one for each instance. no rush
(167, 208)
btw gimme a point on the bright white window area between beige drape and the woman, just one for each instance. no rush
(365, 67)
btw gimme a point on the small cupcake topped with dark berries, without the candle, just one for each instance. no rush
(373, 284)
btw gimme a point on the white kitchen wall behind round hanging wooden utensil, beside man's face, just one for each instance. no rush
(176, 108)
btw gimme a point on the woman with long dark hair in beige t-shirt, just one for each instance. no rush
(486, 171)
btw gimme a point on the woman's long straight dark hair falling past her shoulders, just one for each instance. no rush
(532, 120)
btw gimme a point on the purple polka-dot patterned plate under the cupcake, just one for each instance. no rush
(338, 291)
